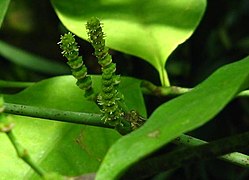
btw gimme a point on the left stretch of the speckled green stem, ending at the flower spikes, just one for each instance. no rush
(55, 114)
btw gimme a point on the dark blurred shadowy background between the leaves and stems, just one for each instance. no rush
(221, 38)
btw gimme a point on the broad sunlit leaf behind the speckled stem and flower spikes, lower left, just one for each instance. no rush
(62, 147)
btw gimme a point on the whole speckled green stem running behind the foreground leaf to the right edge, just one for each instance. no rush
(95, 120)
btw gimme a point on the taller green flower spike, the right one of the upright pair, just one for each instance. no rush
(109, 98)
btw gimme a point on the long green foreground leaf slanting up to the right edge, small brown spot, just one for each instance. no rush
(175, 117)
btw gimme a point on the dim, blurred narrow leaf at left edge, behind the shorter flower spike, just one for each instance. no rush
(31, 61)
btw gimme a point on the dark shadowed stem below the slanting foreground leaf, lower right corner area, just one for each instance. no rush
(179, 157)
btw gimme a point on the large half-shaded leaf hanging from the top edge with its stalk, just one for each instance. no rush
(148, 29)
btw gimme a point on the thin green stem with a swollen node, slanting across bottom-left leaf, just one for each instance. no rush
(23, 154)
